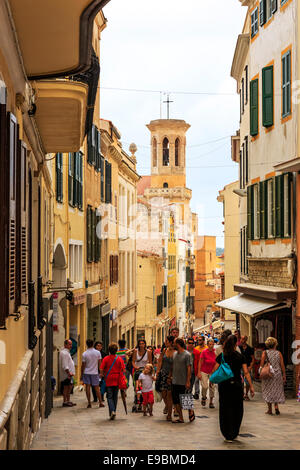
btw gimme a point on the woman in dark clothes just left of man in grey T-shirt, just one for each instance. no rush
(163, 379)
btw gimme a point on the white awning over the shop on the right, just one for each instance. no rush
(247, 304)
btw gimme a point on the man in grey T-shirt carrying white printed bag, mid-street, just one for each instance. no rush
(181, 377)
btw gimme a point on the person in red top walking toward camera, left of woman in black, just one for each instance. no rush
(206, 366)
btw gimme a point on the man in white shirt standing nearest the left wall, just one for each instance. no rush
(66, 372)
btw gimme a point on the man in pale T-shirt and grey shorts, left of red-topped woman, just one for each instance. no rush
(91, 362)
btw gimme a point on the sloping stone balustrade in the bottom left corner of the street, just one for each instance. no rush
(23, 407)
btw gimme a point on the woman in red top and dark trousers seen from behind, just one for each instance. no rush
(111, 368)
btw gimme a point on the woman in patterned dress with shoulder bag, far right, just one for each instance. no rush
(273, 387)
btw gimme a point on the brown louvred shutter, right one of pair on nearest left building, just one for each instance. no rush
(21, 240)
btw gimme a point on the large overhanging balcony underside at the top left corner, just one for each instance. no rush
(55, 36)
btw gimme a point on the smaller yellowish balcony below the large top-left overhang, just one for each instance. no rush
(61, 110)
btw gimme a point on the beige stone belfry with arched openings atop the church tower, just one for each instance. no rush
(168, 147)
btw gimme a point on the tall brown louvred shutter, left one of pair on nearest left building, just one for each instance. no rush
(12, 160)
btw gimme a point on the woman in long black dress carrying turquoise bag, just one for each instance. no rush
(231, 402)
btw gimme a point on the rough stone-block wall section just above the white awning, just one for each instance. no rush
(276, 273)
